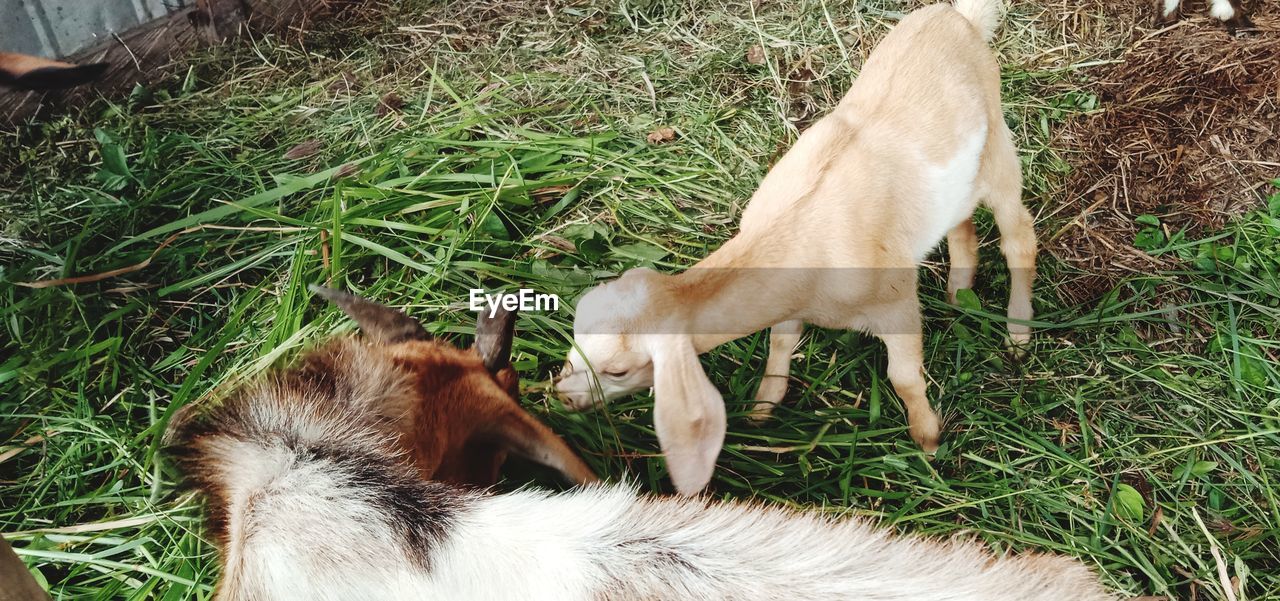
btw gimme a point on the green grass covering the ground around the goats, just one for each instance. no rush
(1140, 433)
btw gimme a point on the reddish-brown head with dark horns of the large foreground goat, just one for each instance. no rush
(456, 409)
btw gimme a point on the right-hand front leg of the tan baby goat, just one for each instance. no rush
(898, 325)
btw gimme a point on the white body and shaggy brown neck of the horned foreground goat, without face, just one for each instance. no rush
(310, 499)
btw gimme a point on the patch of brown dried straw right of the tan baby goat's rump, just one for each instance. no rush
(1190, 132)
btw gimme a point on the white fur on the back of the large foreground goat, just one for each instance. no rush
(609, 543)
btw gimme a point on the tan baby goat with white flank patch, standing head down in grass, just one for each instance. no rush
(834, 237)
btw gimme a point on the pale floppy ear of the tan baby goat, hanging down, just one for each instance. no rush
(689, 414)
